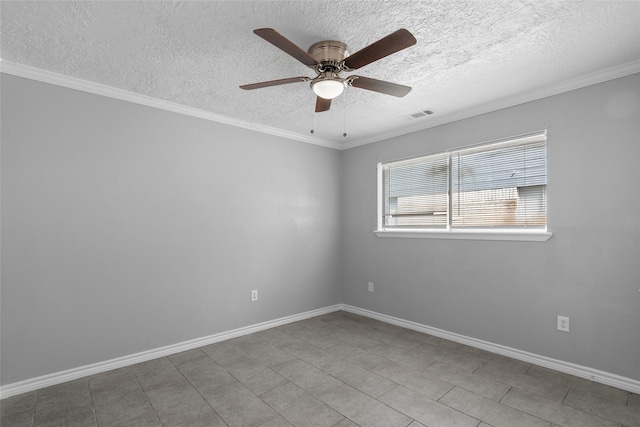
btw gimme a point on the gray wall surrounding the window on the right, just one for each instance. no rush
(510, 293)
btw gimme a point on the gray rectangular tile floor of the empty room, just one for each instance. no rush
(336, 370)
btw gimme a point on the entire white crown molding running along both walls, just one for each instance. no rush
(522, 98)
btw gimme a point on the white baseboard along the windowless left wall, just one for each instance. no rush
(120, 362)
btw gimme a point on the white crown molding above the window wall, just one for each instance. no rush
(511, 101)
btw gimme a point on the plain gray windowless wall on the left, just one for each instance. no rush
(127, 228)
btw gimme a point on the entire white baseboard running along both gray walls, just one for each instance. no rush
(96, 368)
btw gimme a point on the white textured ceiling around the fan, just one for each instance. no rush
(197, 53)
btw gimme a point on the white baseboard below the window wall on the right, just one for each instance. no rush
(595, 375)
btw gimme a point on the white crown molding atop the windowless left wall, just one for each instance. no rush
(44, 76)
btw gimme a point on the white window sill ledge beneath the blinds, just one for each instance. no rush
(509, 235)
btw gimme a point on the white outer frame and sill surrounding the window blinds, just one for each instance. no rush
(508, 234)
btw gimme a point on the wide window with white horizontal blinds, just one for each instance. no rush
(495, 190)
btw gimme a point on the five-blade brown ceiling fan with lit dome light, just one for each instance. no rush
(329, 59)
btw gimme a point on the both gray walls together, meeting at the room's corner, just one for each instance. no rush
(126, 228)
